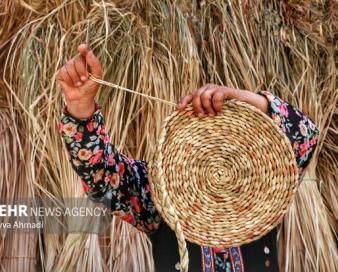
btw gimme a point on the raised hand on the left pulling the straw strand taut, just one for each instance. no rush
(78, 89)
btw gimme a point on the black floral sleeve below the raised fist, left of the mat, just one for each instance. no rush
(107, 176)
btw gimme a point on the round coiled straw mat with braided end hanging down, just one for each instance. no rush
(222, 181)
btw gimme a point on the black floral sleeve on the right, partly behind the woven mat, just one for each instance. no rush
(298, 127)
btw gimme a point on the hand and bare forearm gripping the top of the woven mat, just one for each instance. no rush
(210, 98)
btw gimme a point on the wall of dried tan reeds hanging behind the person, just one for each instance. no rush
(166, 49)
